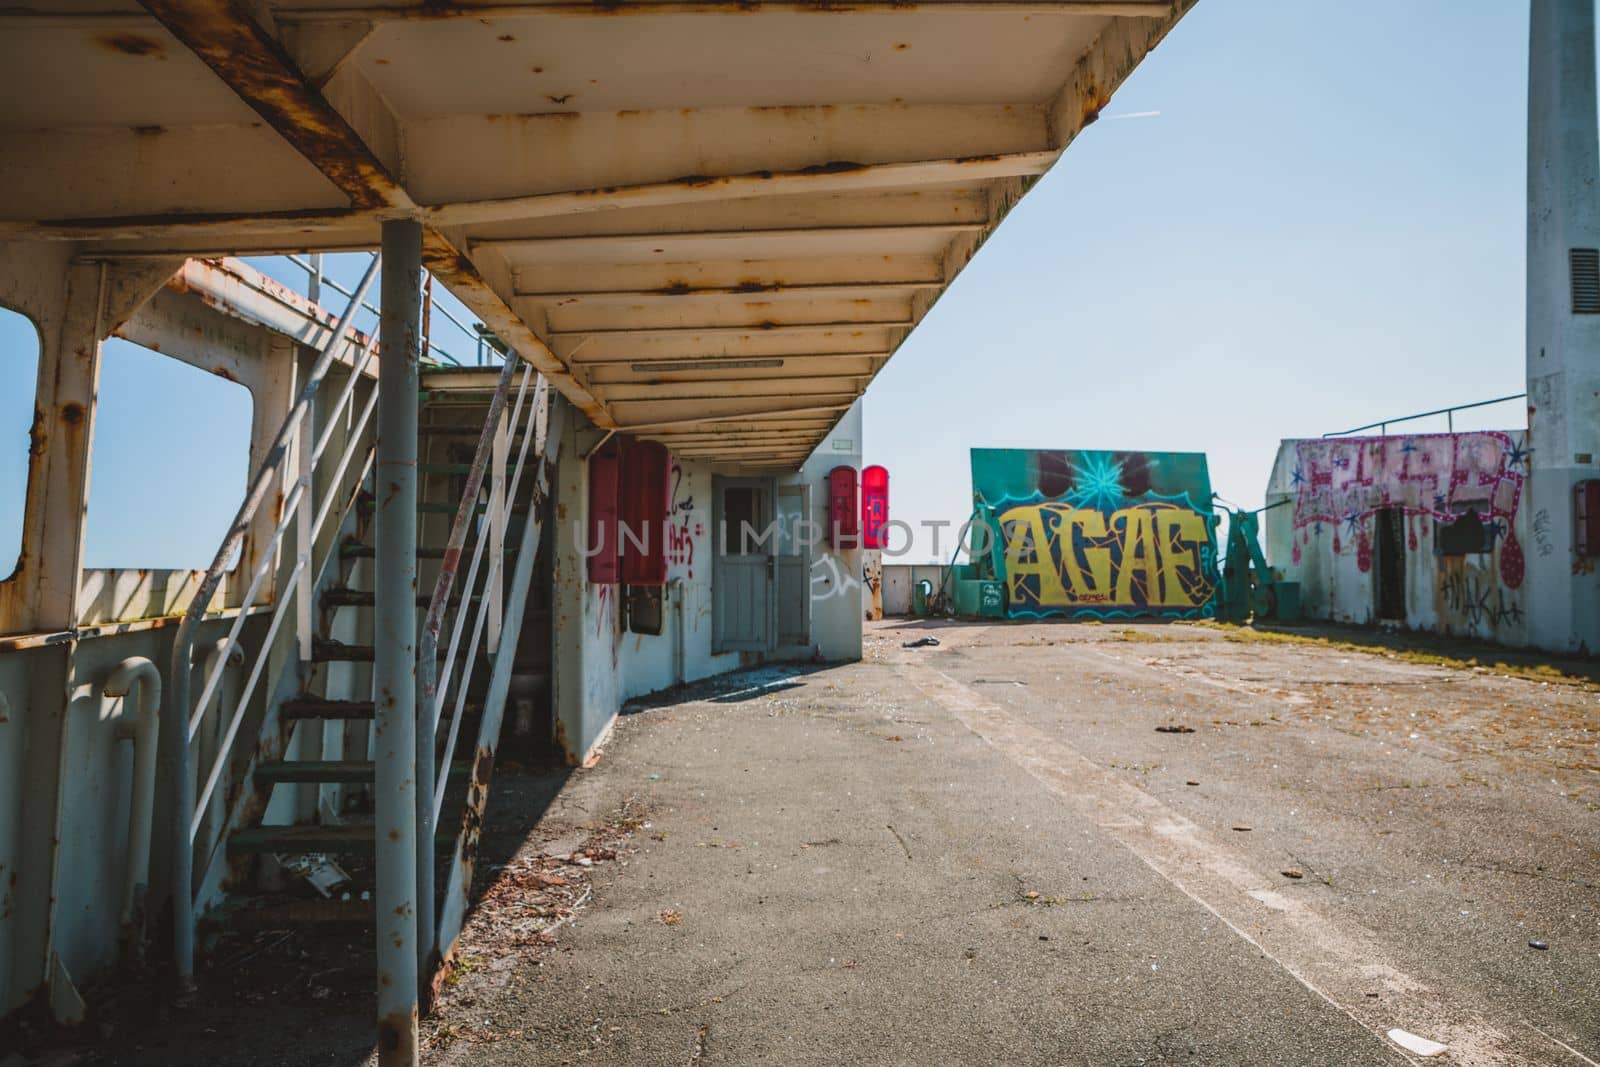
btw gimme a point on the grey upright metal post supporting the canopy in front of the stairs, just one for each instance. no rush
(394, 639)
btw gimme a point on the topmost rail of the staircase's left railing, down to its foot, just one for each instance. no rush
(175, 713)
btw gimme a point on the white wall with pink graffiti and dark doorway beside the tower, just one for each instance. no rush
(1422, 530)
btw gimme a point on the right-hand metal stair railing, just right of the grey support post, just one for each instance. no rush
(449, 681)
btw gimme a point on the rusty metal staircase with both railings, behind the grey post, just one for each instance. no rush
(302, 789)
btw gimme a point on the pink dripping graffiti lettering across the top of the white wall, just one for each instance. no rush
(1343, 482)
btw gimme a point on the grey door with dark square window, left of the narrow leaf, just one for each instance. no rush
(745, 546)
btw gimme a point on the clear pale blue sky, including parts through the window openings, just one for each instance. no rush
(1322, 228)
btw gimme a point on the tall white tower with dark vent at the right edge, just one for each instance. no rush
(1564, 318)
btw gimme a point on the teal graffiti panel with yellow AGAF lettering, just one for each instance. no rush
(1102, 535)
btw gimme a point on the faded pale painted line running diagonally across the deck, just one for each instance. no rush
(1338, 964)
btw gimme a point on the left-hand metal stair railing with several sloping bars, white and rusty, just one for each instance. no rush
(294, 442)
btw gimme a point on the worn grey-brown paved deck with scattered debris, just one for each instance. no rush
(1066, 845)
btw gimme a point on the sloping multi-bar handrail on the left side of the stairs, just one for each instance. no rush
(177, 729)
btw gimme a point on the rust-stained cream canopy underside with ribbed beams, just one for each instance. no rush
(706, 222)
